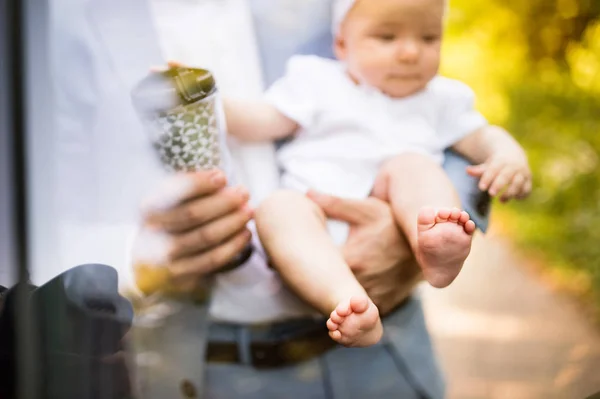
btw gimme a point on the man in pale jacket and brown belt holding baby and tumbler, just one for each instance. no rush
(262, 342)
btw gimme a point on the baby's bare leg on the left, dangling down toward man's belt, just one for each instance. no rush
(293, 232)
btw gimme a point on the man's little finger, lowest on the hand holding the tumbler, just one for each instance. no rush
(212, 260)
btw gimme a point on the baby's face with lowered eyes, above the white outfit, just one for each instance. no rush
(393, 45)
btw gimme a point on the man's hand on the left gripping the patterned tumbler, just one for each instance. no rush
(206, 227)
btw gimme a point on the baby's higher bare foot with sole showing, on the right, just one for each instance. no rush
(444, 242)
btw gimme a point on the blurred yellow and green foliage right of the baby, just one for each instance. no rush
(535, 65)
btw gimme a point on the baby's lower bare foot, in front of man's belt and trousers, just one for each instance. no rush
(355, 323)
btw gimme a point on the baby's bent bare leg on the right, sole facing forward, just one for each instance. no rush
(427, 209)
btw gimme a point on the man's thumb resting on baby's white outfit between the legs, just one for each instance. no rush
(347, 210)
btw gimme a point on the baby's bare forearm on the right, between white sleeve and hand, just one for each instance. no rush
(481, 145)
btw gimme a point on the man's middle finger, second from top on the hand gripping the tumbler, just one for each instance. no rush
(197, 212)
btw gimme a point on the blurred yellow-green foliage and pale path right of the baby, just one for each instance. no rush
(522, 320)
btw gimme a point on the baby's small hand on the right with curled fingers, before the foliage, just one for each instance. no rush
(505, 174)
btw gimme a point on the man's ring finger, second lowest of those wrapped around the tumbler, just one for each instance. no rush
(210, 235)
